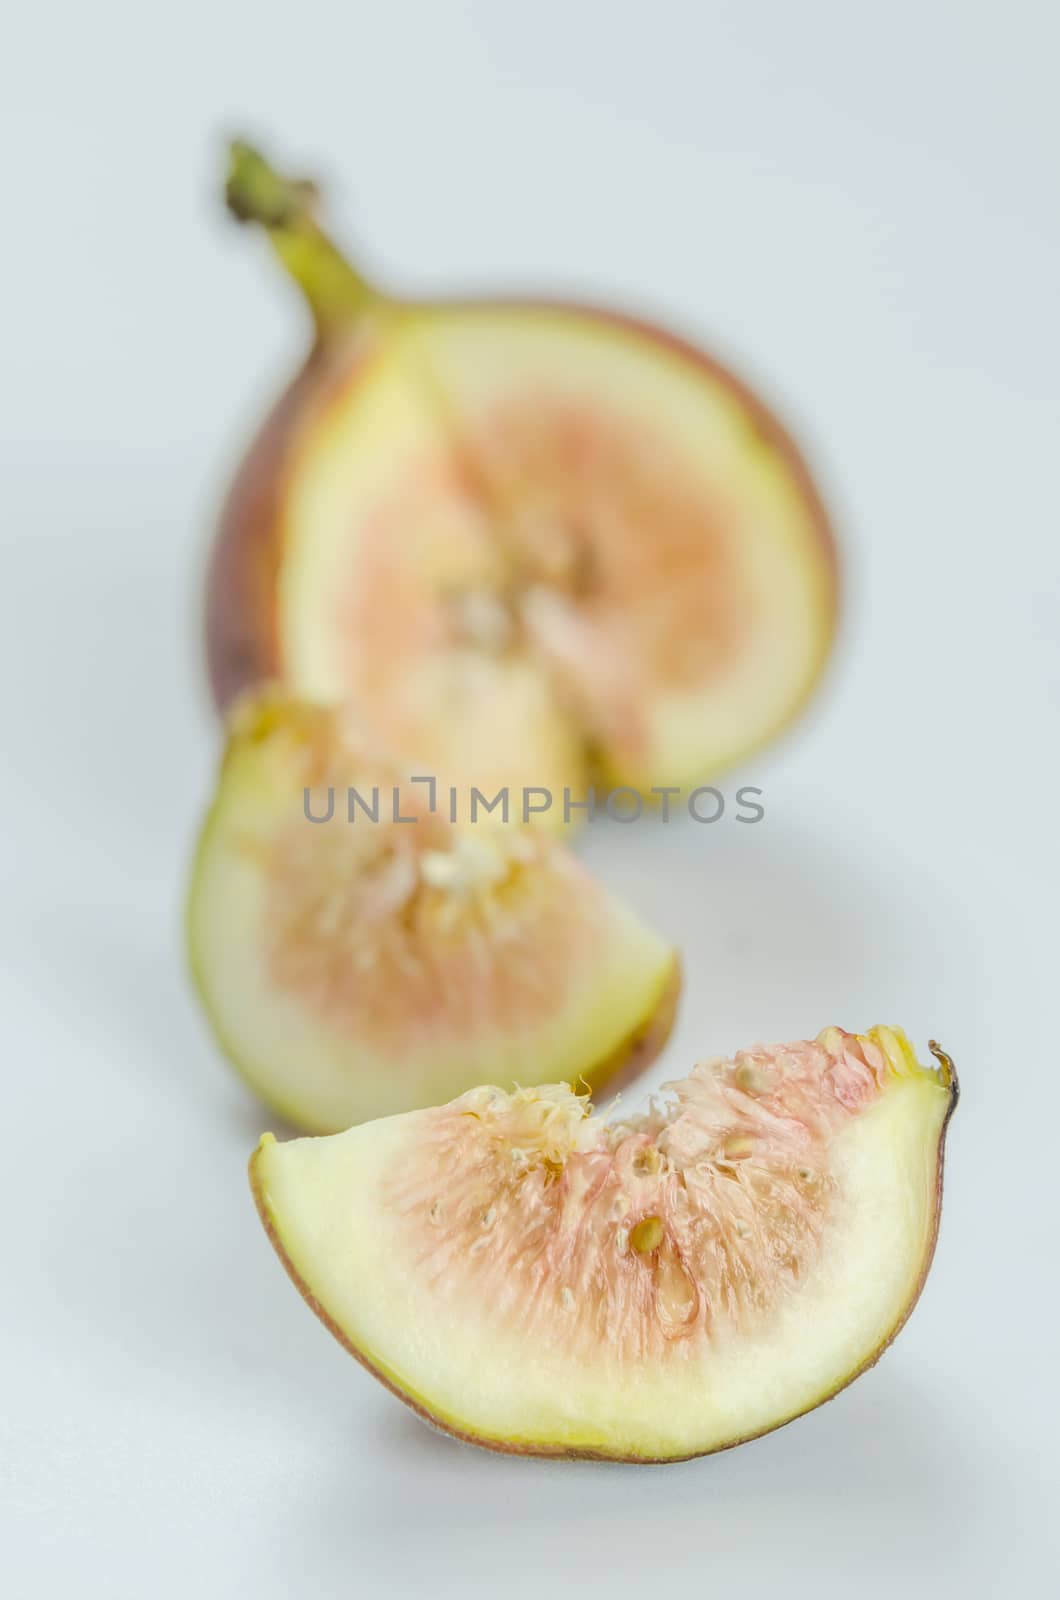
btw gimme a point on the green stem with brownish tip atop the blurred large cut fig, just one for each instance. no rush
(287, 210)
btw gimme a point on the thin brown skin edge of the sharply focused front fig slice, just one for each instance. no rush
(563, 1454)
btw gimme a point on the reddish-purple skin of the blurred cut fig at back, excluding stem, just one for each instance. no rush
(243, 585)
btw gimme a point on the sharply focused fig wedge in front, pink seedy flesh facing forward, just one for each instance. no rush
(539, 1281)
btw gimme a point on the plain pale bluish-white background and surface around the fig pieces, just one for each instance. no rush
(861, 207)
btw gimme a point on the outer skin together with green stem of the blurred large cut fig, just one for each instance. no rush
(243, 641)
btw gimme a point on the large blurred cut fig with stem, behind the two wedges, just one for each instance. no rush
(545, 543)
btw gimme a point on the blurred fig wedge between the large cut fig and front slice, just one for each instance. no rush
(359, 956)
